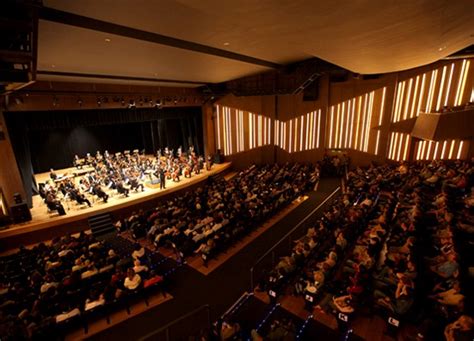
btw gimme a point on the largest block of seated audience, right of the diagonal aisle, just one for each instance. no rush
(391, 246)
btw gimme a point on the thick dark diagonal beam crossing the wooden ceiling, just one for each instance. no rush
(67, 18)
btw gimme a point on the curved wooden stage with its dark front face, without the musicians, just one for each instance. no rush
(45, 225)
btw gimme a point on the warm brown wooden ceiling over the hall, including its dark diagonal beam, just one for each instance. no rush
(188, 42)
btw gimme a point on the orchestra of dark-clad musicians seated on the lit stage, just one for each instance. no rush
(120, 172)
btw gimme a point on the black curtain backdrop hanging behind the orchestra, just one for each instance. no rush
(50, 139)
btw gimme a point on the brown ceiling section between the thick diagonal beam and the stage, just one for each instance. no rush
(66, 48)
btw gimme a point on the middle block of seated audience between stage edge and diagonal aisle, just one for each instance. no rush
(207, 221)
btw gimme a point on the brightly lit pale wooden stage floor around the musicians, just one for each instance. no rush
(41, 218)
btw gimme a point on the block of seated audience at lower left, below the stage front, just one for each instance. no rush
(55, 288)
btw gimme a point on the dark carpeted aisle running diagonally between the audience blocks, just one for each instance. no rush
(222, 287)
